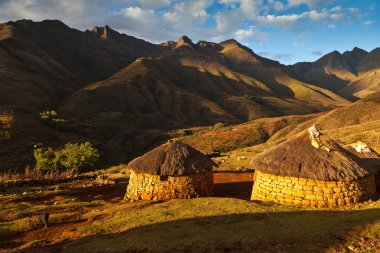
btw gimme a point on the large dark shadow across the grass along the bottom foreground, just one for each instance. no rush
(293, 231)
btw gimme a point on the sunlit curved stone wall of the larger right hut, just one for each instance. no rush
(308, 192)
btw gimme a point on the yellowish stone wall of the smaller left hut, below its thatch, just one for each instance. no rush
(153, 187)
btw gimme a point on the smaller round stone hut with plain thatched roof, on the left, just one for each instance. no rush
(172, 170)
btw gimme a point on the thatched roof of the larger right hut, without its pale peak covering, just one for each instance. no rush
(296, 157)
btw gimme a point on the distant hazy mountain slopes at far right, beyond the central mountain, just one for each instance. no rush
(353, 74)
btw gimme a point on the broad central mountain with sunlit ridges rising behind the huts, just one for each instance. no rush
(198, 84)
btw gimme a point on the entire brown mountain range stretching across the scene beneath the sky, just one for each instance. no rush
(125, 94)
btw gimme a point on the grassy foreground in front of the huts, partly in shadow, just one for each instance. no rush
(95, 219)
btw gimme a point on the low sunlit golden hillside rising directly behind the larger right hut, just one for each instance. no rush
(356, 122)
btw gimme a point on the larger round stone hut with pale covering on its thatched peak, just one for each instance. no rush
(311, 169)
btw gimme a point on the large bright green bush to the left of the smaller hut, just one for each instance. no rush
(72, 156)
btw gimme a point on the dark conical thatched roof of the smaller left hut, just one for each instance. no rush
(172, 159)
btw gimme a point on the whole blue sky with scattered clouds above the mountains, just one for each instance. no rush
(285, 30)
